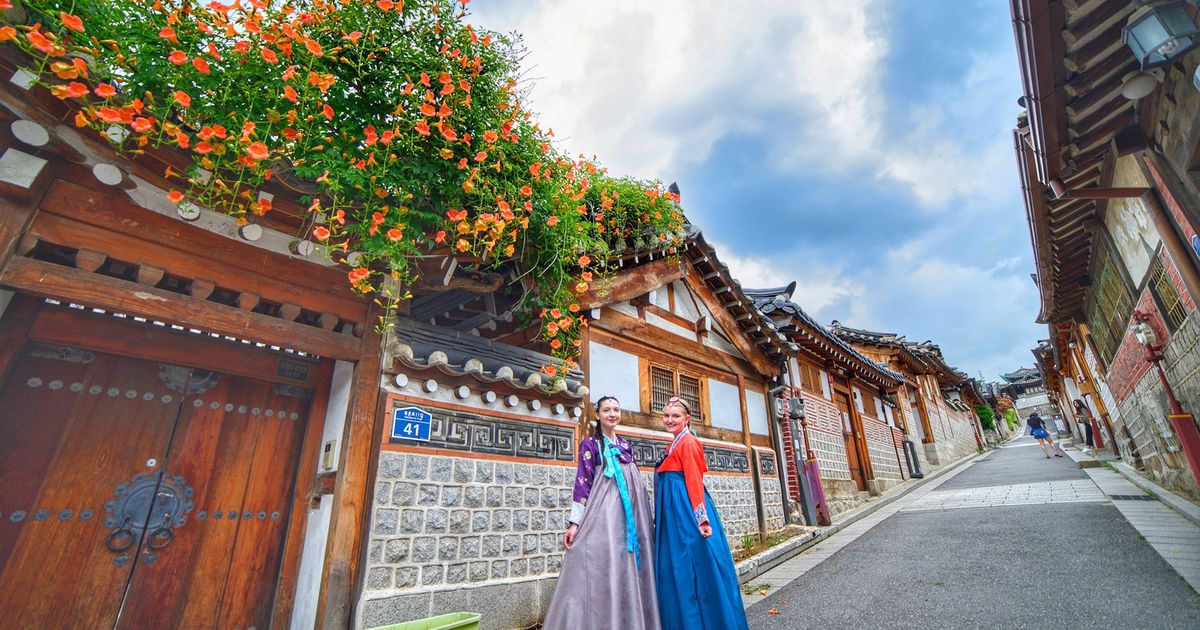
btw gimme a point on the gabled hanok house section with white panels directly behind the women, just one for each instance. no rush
(681, 326)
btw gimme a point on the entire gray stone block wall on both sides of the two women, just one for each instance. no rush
(453, 535)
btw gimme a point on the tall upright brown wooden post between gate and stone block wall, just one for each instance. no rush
(352, 493)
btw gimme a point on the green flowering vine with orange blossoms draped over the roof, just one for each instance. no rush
(401, 123)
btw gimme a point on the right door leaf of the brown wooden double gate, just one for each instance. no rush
(237, 446)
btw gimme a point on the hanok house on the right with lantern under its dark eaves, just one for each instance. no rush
(1108, 153)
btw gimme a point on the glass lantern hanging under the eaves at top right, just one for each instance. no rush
(1161, 33)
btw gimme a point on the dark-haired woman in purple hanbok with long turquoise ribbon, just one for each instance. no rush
(608, 578)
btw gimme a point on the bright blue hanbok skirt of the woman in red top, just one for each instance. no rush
(697, 581)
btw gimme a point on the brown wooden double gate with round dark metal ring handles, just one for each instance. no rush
(142, 494)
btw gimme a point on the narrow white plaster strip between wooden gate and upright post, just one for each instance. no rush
(304, 614)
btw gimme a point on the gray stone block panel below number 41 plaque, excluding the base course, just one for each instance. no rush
(441, 521)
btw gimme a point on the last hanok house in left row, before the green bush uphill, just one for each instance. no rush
(933, 400)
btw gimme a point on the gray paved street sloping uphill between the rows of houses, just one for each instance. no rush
(1011, 541)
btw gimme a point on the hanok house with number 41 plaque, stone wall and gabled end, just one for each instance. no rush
(471, 515)
